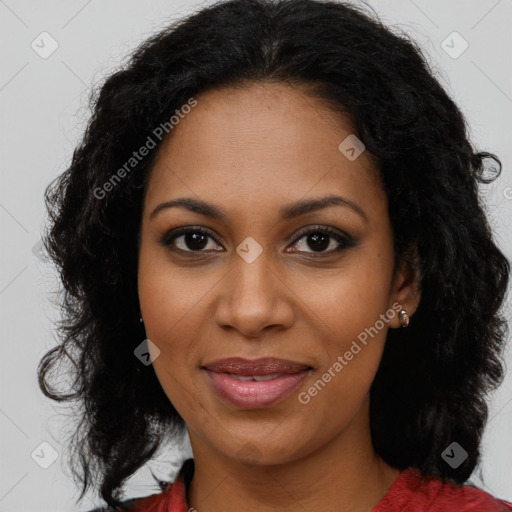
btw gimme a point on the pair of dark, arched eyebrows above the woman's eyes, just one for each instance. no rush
(287, 212)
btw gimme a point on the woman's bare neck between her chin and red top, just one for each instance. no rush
(343, 474)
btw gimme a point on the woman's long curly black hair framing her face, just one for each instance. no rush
(432, 384)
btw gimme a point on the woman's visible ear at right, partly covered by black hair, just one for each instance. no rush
(406, 287)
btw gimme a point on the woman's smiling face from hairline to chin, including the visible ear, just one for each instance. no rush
(264, 279)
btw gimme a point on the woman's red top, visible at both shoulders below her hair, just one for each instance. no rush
(409, 493)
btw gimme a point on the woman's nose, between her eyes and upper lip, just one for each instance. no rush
(254, 299)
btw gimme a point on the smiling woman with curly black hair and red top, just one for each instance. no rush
(271, 236)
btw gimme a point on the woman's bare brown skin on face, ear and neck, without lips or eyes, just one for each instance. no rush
(250, 151)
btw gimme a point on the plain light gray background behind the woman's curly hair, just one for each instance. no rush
(44, 109)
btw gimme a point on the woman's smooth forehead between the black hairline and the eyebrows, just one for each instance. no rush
(268, 138)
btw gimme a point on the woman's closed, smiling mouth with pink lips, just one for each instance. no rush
(254, 384)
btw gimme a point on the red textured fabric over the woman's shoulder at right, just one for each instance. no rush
(414, 492)
